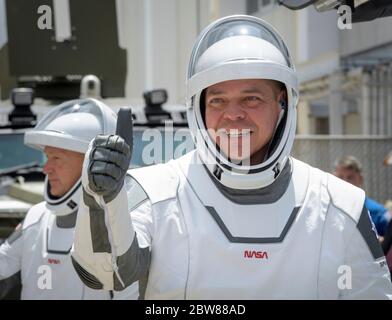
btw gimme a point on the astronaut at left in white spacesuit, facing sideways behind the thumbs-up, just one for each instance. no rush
(37, 255)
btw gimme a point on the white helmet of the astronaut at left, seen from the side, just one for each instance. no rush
(70, 126)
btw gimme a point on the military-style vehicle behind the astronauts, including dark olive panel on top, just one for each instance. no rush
(80, 57)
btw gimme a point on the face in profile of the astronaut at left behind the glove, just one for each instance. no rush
(63, 169)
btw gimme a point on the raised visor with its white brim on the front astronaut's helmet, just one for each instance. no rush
(239, 47)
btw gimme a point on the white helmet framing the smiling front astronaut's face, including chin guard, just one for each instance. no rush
(232, 48)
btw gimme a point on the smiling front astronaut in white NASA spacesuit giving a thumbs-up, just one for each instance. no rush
(237, 218)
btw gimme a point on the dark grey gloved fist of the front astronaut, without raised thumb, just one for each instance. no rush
(109, 160)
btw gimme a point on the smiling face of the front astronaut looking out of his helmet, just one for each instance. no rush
(241, 116)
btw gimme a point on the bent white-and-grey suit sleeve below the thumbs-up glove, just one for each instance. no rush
(112, 241)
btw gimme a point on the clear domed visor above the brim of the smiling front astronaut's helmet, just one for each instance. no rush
(238, 38)
